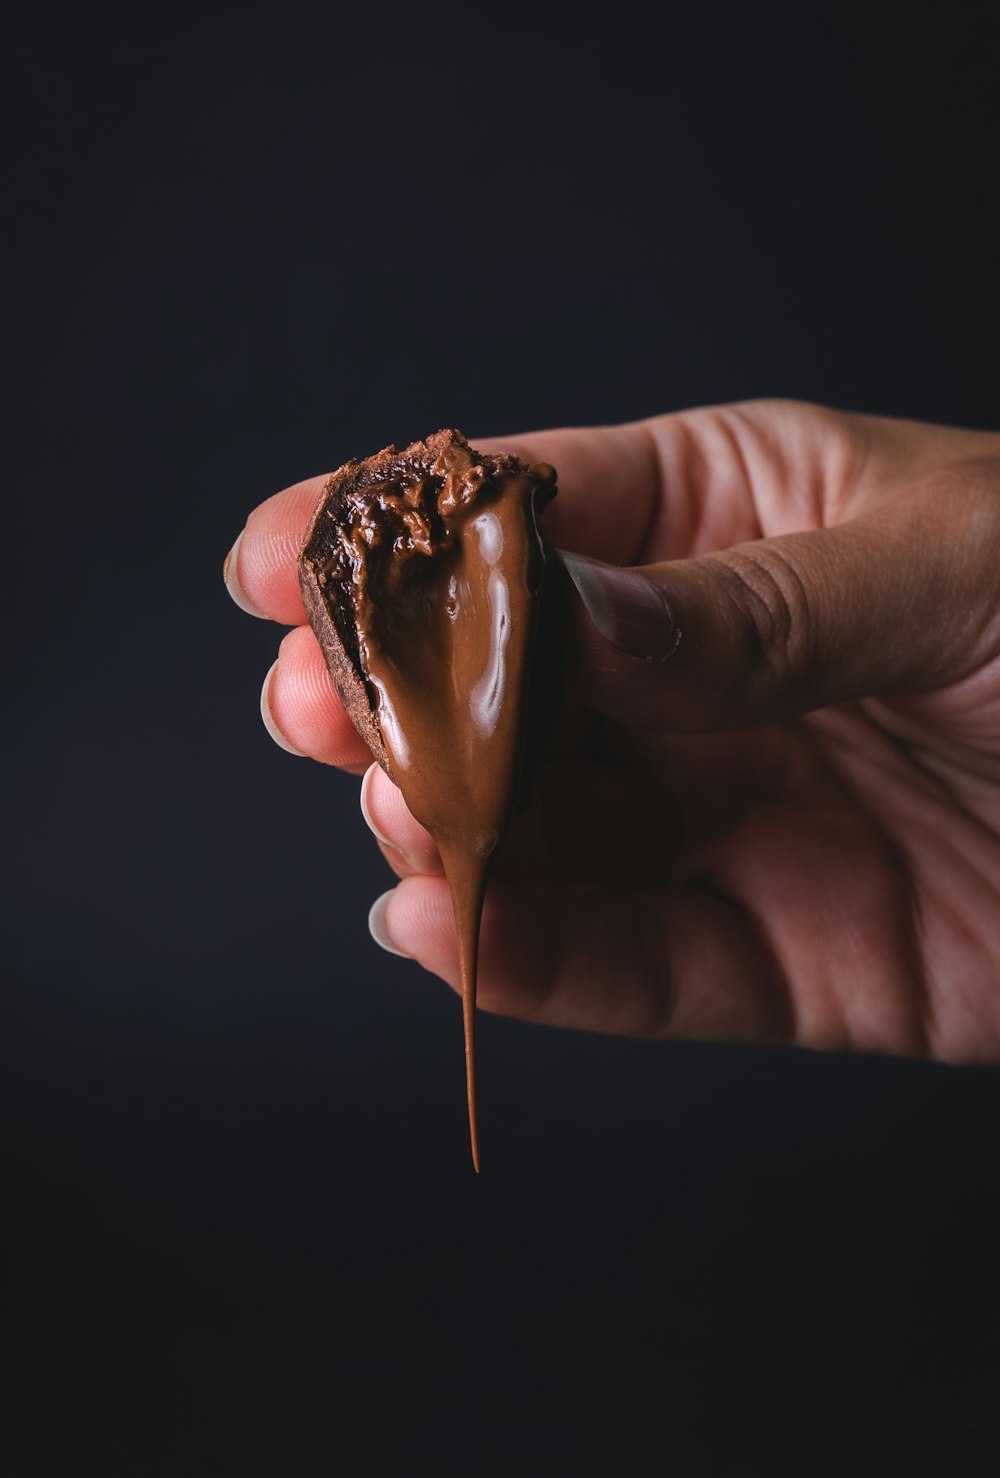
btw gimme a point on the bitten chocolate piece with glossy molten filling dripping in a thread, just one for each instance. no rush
(423, 574)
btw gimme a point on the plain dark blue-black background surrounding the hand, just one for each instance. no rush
(244, 246)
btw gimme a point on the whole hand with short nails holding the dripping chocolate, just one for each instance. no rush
(776, 817)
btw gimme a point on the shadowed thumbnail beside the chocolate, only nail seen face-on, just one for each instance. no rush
(629, 610)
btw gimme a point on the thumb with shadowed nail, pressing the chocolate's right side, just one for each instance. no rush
(778, 627)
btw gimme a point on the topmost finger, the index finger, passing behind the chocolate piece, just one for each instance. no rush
(609, 484)
